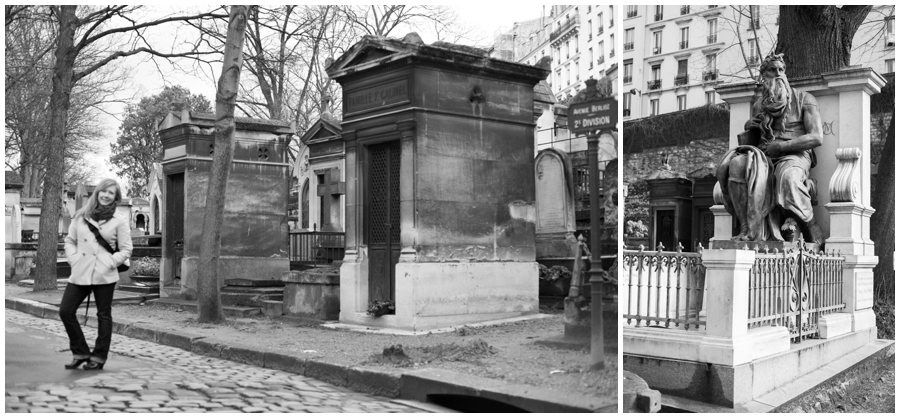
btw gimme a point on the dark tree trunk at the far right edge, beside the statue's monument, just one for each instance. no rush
(882, 223)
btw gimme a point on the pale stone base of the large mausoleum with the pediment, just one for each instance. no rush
(437, 295)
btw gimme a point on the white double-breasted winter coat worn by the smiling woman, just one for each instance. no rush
(91, 263)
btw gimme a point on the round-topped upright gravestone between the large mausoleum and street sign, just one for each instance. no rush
(554, 205)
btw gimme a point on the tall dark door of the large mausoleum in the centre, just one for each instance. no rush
(383, 202)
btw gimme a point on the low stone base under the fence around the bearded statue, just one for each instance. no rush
(733, 385)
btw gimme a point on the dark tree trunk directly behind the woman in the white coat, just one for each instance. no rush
(63, 81)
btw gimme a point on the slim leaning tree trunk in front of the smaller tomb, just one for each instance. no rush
(209, 303)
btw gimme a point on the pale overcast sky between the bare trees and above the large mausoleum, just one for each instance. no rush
(486, 17)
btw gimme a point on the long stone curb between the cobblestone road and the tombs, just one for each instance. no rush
(395, 385)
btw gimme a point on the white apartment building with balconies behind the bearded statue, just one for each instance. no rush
(675, 55)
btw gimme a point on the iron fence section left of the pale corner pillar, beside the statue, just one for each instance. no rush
(665, 288)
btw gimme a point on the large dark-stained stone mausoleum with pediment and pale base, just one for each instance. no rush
(440, 184)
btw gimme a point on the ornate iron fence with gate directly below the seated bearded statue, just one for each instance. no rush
(794, 288)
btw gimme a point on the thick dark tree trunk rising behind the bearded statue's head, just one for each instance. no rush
(817, 39)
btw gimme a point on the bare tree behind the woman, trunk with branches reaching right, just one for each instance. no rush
(94, 27)
